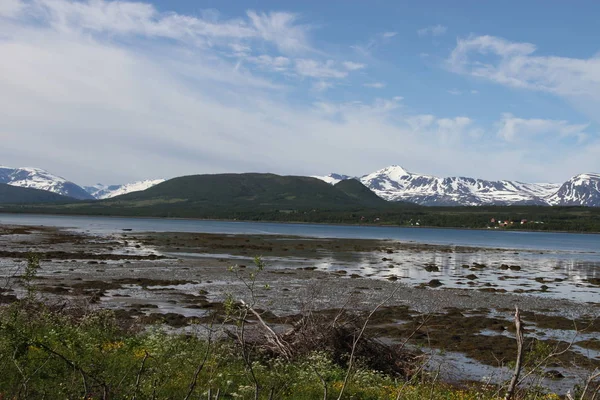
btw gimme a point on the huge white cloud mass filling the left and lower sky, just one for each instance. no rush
(81, 102)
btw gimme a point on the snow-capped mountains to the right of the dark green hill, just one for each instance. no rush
(394, 183)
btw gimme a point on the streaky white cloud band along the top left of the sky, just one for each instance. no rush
(143, 19)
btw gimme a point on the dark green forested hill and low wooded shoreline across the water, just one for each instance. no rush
(269, 197)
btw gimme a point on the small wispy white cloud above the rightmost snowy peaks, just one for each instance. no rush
(512, 128)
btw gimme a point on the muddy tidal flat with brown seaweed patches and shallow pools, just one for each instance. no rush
(454, 303)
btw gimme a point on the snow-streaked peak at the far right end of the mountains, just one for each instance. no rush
(583, 189)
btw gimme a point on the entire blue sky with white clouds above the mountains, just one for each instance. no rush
(118, 91)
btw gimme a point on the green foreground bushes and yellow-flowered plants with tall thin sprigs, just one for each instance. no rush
(72, 352)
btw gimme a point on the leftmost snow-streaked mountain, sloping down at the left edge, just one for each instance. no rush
(36, 178)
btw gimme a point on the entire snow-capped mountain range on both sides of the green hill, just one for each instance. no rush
(393, 183)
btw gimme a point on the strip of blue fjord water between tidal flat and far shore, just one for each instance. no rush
(587, 245)
